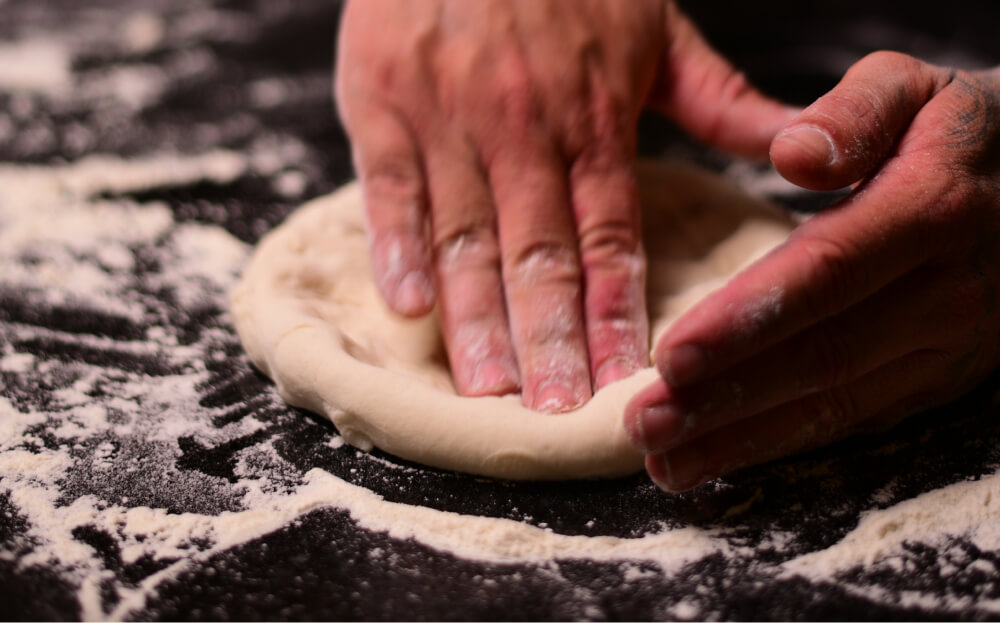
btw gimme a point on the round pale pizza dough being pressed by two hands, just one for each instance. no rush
(309, 315)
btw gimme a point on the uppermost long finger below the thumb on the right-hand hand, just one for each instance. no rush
(831, 262)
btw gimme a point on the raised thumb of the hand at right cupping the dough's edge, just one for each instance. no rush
(850, 131)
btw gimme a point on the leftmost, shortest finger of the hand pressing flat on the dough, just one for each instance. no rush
(395, 195)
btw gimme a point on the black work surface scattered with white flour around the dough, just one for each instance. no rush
(146, 471)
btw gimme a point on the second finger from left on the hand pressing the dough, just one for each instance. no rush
(467, 265)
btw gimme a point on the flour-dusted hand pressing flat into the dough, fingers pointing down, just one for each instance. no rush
(494, 142)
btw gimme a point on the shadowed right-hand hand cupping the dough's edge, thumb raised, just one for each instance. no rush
(884, 304)
